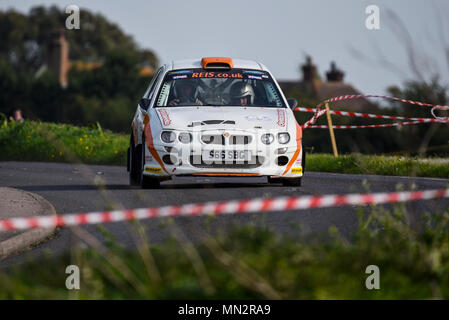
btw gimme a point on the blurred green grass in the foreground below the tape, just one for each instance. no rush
(253, 262)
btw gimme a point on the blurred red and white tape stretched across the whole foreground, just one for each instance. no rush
(222, 207)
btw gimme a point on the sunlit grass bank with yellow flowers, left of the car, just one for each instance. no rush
(37, 141)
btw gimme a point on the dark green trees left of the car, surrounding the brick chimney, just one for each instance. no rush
(107, 93)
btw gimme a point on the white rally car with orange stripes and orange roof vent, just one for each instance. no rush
(216, 117)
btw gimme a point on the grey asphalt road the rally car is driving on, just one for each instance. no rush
(80, 188)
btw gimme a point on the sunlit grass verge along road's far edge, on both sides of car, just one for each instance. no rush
(36, 141)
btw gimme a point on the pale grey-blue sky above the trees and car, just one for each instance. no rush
(281, 33)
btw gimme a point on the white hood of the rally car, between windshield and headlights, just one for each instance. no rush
(186, 118)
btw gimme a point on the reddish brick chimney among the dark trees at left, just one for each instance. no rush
(58, 56)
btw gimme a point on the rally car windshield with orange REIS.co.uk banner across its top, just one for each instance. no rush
(236, 87)
